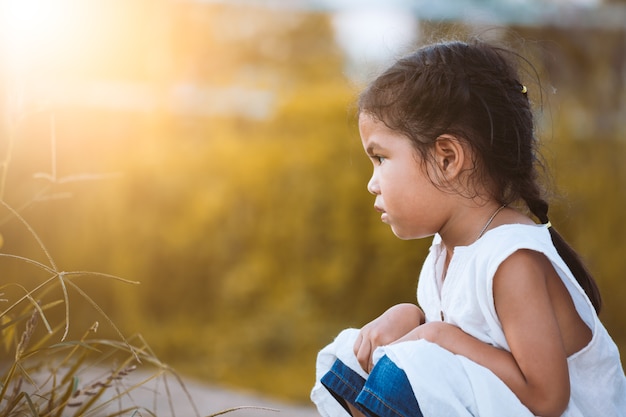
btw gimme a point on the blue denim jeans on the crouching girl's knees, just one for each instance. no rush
(385, 393)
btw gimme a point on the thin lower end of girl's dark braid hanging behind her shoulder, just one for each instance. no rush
(539, 208)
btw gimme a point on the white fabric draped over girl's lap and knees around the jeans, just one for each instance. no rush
(445, 385)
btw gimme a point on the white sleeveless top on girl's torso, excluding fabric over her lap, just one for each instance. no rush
(465, 299)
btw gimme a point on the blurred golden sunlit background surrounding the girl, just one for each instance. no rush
(209, 150)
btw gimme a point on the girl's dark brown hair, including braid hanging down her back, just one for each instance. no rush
(473, 92)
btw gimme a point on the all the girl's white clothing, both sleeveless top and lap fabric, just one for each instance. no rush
(465, 298)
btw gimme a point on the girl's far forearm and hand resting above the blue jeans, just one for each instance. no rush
(387, 328)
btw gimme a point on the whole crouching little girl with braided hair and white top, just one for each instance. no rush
(508, 322)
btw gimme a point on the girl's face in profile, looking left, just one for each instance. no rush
(409, 202)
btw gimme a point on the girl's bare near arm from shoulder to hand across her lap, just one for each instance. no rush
(536, 368)
